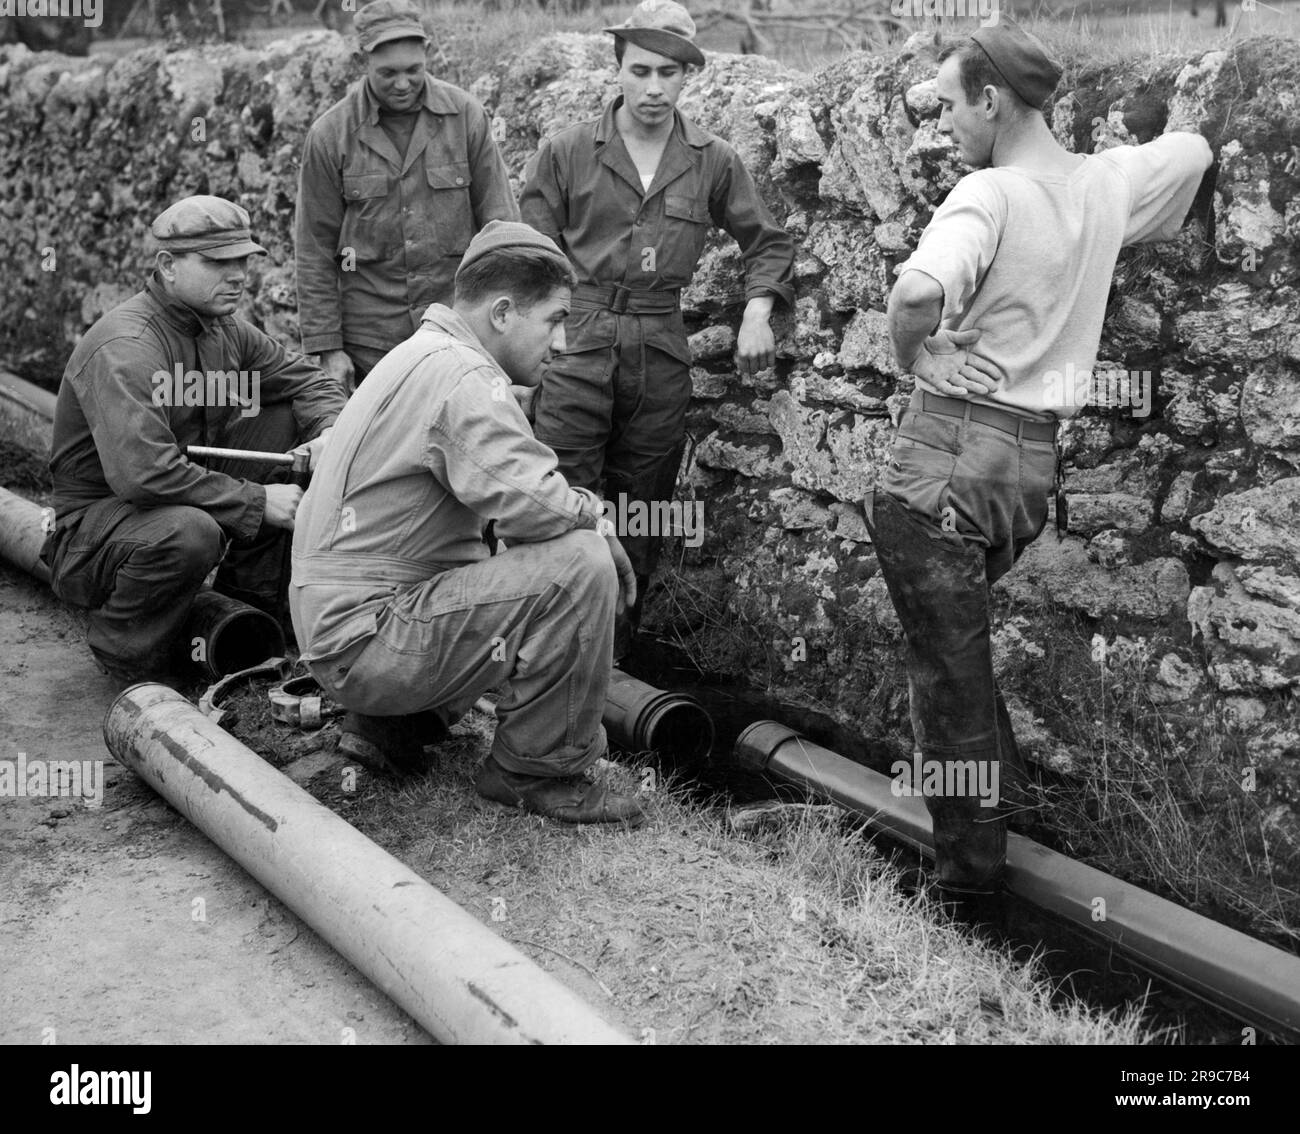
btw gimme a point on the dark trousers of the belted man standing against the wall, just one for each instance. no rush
(614, 410)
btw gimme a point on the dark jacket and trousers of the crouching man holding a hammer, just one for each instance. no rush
(137, 526)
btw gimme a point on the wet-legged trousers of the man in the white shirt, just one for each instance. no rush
(954, 510)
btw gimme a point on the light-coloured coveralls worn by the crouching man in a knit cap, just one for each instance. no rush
(396, 601)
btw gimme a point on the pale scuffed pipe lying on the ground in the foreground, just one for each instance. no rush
(435, 960)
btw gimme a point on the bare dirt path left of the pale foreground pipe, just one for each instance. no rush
(123, 924)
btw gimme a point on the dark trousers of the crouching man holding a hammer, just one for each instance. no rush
(138, 569)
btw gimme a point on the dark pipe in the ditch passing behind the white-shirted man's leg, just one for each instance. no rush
(1249, 979)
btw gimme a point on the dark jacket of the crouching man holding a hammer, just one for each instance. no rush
(120, 429)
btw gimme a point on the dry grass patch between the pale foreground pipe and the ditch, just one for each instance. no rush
(687, 933)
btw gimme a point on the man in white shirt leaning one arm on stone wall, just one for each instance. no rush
(999, 317)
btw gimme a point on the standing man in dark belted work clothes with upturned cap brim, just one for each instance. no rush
(630, 197)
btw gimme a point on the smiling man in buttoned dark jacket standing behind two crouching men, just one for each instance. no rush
(397, 179)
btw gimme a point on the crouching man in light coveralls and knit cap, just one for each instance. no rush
(402, 613)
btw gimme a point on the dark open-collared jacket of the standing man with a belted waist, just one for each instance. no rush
(584, 192)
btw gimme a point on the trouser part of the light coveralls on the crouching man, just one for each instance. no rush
(536, 621)
